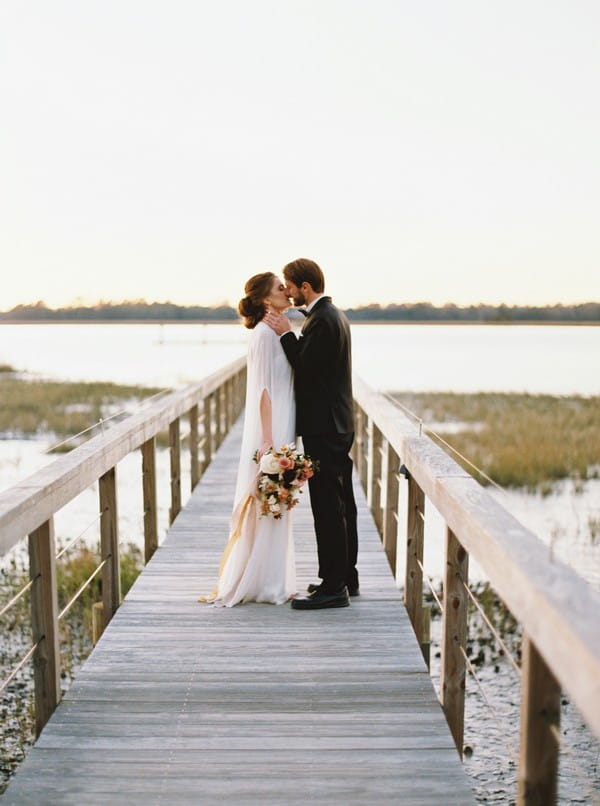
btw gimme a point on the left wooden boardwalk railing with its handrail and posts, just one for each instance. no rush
(28, 508)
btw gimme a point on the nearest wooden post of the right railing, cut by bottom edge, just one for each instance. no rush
(540, 718)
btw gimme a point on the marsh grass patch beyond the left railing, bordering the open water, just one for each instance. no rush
(36, 407)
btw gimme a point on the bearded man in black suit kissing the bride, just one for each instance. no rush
(321, 359)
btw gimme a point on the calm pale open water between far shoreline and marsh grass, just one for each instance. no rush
(470, 358)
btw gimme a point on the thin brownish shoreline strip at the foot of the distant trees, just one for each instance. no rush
(467, 322)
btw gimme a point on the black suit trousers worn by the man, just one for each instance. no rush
(334, 509)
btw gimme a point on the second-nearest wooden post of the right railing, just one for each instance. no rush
(454, 638)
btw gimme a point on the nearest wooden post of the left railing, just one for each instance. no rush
(44, 623)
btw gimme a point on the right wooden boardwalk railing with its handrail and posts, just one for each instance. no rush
(558, 611)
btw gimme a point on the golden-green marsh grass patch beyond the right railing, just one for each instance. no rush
(519, 440)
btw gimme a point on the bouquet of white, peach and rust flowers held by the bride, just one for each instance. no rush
(282, 474)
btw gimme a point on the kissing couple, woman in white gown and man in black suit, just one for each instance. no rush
(295, 386)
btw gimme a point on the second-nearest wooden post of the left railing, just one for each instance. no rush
(109, 545)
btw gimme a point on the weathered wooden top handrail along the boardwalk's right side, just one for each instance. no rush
(550, 600)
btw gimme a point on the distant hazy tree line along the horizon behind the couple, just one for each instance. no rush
(140, 310)
